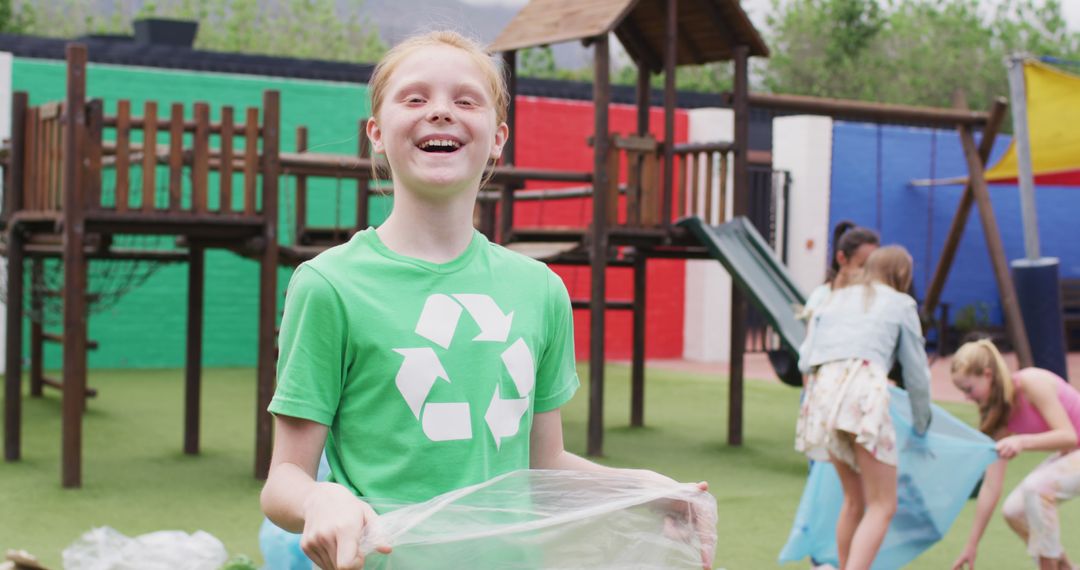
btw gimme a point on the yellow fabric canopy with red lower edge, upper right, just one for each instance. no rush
(1054, 117)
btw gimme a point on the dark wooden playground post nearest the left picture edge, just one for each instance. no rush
(13, 319)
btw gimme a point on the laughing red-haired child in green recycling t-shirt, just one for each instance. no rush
(421, 357)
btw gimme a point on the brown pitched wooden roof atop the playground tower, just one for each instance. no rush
(708, 30)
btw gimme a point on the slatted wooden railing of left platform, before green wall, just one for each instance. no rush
(148, 164)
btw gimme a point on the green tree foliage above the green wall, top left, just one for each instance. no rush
(323, 30)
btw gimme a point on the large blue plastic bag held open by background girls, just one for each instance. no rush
(937, 476)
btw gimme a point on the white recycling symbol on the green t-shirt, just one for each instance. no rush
(422, 369)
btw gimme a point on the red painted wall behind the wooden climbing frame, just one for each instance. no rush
(552, 134)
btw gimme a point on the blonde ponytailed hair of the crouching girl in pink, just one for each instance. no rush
(976, 359)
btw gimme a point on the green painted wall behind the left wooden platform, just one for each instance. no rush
(147, 328)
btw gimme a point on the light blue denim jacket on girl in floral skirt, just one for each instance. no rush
(880, 325)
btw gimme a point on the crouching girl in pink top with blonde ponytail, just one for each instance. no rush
(1030, 411)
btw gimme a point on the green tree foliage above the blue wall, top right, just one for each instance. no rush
(916, 52)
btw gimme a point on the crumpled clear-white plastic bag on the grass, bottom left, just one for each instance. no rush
(106, 549)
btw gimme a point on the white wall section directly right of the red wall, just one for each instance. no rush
(708, 315)
